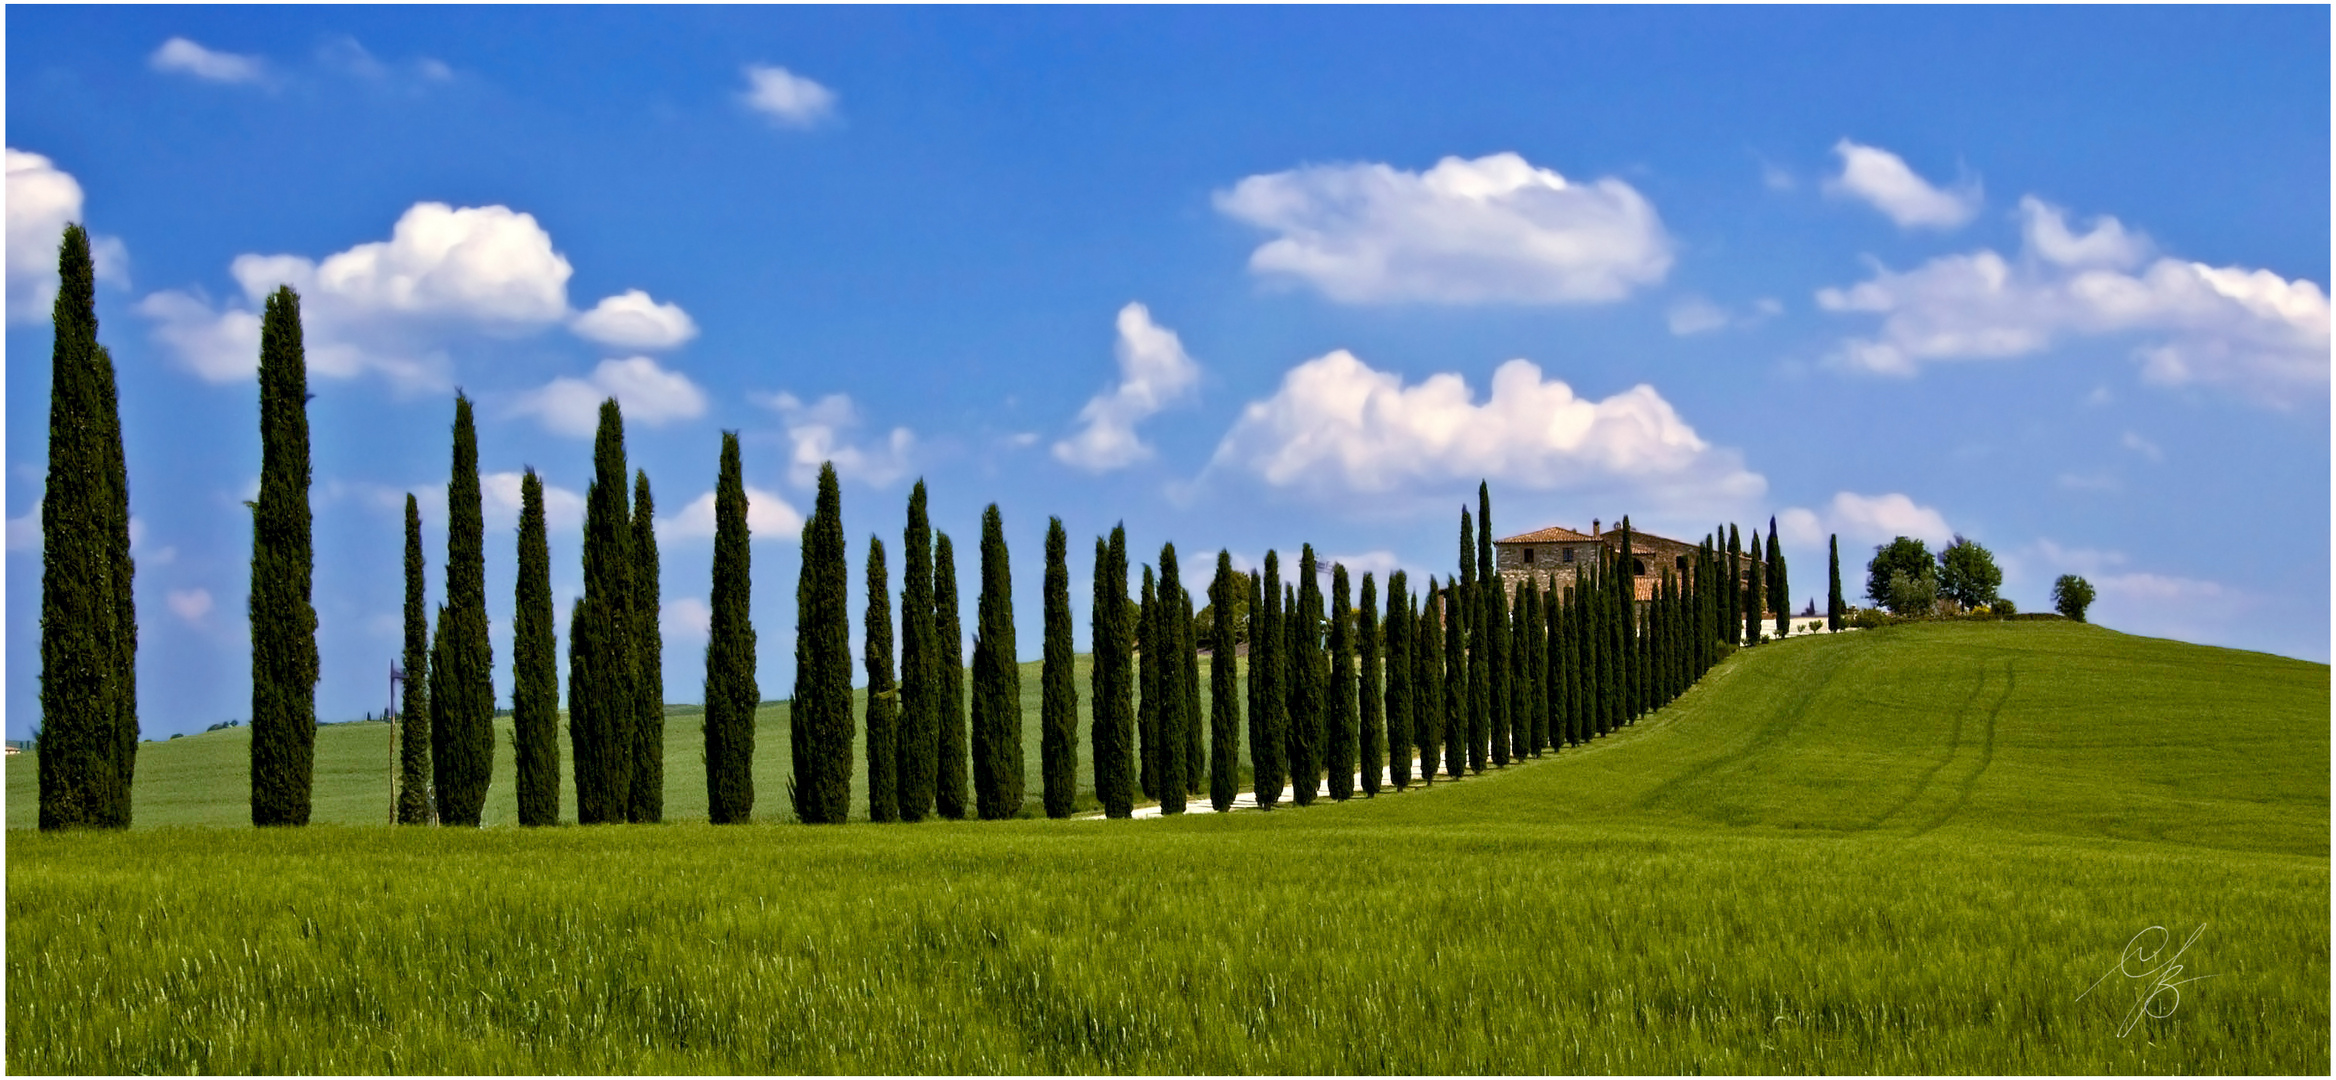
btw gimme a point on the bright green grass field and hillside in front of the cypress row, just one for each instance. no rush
(1884, 852)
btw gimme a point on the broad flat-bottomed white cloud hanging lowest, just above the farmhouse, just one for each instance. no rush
(1340, 427)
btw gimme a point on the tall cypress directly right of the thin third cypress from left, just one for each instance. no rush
(464, 691)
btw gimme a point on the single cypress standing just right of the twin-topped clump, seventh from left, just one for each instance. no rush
(730, 656)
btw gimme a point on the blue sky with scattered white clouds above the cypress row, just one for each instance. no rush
(2052, 279)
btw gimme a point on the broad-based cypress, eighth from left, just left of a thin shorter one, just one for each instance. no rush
(821, 721)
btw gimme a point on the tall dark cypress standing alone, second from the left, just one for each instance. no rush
(281, 611)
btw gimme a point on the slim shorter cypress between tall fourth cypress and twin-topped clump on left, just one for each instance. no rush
(536, 667)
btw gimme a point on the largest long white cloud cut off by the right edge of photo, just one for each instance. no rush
(2225, 326)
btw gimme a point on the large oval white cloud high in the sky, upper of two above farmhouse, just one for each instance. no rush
(1464, 233)
